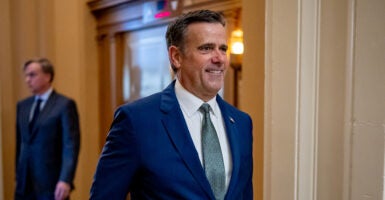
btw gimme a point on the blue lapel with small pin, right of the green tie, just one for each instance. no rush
(232, 136)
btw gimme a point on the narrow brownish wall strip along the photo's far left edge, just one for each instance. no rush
(7, 104)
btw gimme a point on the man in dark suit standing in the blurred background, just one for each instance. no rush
(48, 138)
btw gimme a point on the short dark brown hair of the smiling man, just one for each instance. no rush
(176, 30)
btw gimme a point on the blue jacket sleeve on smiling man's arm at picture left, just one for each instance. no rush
(118, 162)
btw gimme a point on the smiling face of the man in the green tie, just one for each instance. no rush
(203, 61)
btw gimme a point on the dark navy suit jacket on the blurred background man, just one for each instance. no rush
(50, 152)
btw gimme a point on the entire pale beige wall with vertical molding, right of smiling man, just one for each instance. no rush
(324, 97)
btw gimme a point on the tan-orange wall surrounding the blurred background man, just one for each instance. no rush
(63, 31)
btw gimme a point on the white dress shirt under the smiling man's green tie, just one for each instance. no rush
(190, 104)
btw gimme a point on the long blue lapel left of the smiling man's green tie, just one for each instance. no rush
(177, 130)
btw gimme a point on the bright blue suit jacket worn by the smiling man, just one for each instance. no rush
(149, 152)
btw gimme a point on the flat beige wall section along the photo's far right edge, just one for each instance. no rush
(366, 94)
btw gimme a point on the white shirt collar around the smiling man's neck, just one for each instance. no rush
(191, 103)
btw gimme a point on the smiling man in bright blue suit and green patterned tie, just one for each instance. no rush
(155, 149)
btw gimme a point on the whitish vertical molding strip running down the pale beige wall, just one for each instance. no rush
(307, 100)
